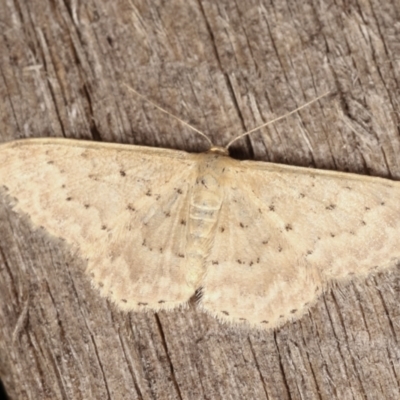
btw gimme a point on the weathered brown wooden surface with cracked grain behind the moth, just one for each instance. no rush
(225, 67)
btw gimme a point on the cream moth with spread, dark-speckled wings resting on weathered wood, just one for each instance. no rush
(260, 241)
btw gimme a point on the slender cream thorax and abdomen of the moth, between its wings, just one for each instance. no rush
(206, 199)
